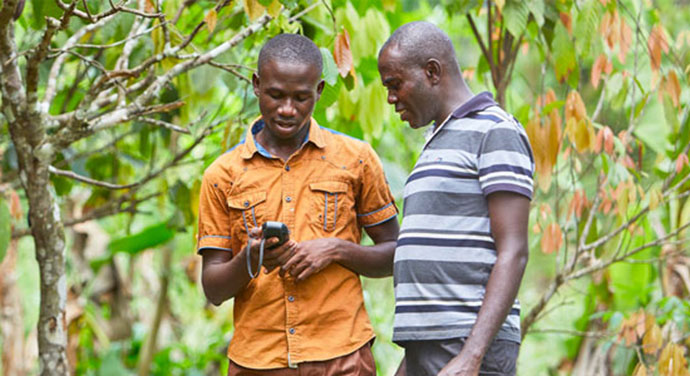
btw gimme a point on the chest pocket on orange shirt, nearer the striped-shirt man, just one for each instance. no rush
(332, 204)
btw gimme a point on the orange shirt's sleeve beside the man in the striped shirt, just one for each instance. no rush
(375, 202)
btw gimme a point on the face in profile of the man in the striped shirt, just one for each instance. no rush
(408, 88)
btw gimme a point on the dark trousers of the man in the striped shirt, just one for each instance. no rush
(427, 358)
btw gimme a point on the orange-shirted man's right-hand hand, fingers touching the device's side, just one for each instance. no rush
(310, 257)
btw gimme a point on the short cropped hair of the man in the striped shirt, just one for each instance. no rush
(419, 41)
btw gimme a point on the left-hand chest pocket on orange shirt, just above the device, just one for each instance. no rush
(246, 211)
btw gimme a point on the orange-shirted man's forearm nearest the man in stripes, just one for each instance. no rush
(370, 261)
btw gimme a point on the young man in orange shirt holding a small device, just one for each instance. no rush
(304, 313)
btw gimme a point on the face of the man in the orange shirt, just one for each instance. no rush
(287, 93)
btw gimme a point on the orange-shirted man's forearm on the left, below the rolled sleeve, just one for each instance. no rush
(224, 280)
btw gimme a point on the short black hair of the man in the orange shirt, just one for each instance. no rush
(292, 48)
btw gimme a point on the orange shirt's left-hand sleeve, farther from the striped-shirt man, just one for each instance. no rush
(214, 223)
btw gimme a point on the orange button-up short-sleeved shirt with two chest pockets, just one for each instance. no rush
(333, 186)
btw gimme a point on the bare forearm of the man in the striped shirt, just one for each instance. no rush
(501, 290)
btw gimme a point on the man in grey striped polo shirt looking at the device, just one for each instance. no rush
(462, 248)
